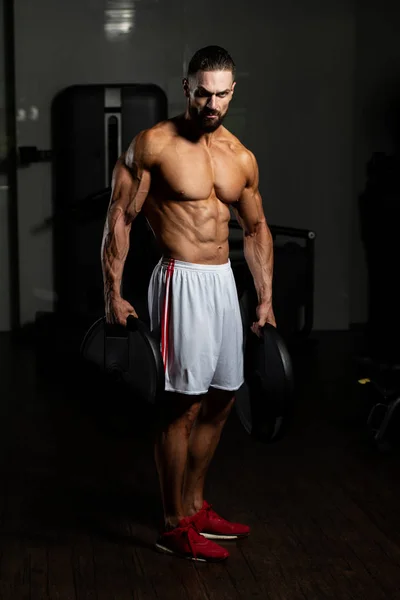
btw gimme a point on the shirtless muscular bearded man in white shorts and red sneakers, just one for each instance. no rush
(184, 174)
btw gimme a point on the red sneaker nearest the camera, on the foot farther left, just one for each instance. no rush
(186, 542)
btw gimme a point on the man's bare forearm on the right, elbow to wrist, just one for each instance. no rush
(259, 255)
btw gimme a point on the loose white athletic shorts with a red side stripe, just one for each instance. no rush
(194, 311)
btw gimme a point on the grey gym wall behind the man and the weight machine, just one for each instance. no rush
(293, 107)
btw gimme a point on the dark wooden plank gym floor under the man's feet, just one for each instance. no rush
(80, 506)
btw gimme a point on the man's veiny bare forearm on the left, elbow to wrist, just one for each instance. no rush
(114, 250)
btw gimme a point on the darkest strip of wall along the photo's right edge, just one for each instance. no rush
(377, 86)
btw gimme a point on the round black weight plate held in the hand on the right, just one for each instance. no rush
(264, 403)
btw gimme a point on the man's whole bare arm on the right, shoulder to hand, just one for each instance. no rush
(258, 242)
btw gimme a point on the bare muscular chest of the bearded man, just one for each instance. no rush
(192, 173)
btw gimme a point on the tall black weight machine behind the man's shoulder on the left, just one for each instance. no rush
(91, 126)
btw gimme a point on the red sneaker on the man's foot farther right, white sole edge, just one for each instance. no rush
(212, 526)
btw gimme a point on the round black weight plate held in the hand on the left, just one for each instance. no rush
(127, 355)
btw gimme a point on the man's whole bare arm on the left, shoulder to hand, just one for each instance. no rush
(130, 186)
